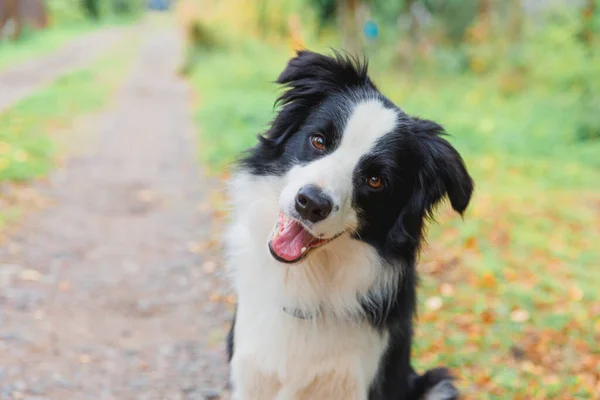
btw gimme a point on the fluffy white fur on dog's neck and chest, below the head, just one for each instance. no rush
(291, 350)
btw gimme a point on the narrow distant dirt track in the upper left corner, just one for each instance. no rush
(22, 80)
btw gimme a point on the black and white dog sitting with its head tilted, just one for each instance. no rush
(329, 211)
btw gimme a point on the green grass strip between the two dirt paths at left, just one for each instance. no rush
(33, 128)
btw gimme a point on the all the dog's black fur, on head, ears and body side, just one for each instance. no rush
(419, 167)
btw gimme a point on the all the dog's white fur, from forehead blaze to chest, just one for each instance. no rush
(273, 348)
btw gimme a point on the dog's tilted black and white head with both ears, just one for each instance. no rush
(353, 164)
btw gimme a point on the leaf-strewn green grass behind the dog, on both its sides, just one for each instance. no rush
(509, 295)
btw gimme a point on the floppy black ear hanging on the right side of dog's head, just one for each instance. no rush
(444, 172)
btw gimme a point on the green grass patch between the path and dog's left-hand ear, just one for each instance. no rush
(236, 100)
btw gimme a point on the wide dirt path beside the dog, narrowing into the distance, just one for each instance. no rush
(100, 295)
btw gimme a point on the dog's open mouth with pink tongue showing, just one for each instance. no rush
(291, 242)
